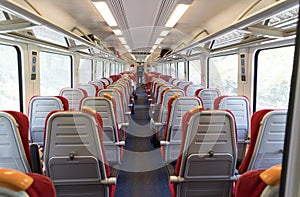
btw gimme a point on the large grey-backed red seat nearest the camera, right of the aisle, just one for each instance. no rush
(207, 160)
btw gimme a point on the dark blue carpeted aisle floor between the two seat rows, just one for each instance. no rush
(142, 172)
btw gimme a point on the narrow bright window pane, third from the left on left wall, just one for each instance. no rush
(85, 70)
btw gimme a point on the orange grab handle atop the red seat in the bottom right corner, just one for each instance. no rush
(271, 176)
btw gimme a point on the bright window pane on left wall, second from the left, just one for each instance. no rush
(55, 73)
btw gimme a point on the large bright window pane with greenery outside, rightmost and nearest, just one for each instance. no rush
(274, 71)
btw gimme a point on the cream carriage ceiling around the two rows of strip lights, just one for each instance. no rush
(141, 21)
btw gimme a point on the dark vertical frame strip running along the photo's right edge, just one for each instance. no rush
(289, 180)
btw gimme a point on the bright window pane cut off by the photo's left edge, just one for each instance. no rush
(9, 79)
